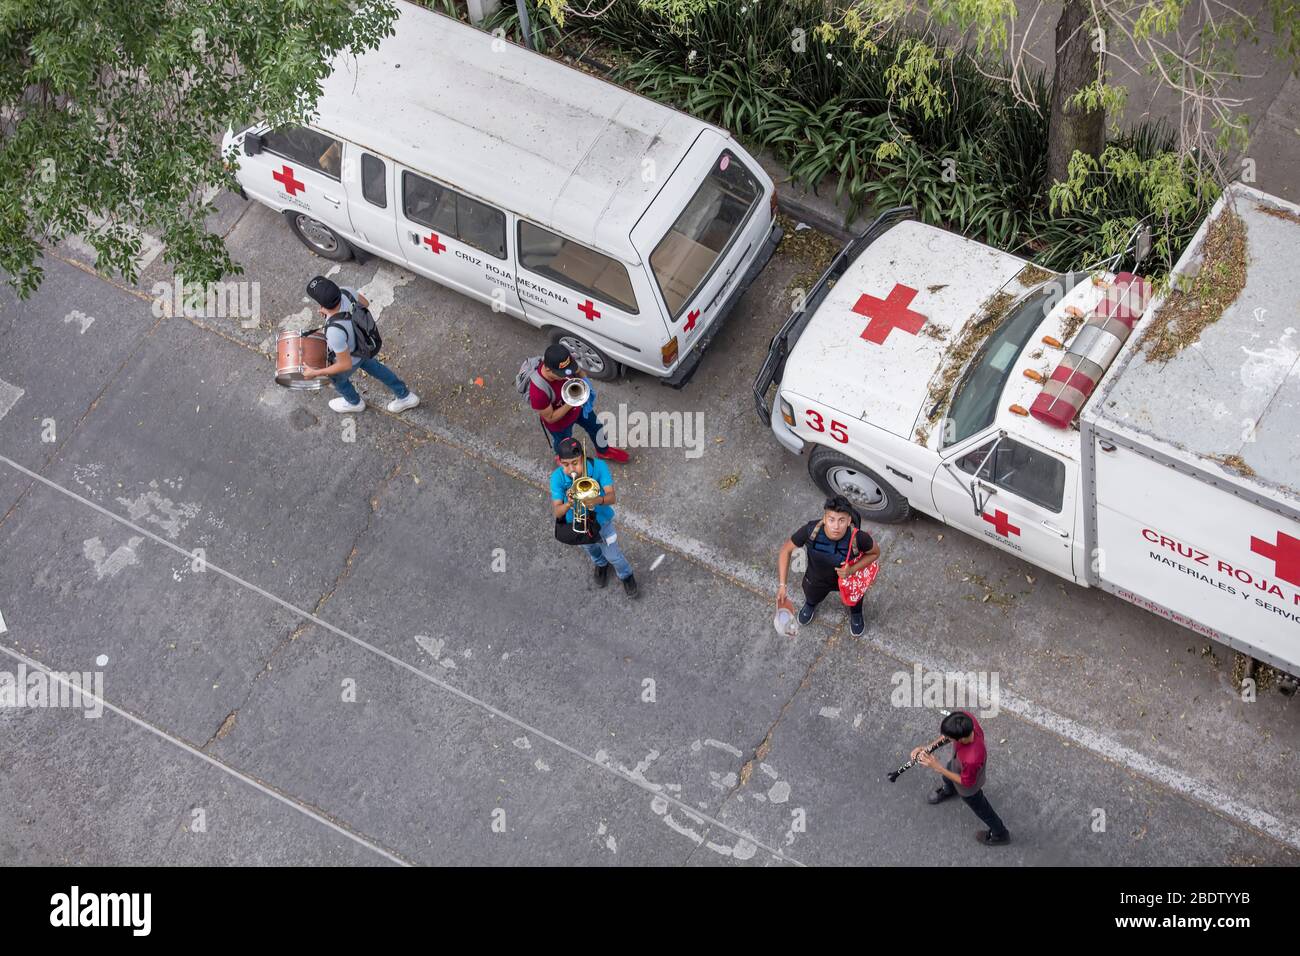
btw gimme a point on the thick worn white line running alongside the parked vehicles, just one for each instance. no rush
(1009, 702)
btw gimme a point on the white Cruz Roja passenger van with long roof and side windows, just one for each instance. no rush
(622, 228)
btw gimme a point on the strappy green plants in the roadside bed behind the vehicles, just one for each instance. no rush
(891, 122)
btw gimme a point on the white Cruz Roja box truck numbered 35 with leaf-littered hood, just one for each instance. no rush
(1150, 447)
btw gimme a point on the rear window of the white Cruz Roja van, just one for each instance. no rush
(694, 245)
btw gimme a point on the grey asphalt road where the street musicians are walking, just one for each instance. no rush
(348, 678)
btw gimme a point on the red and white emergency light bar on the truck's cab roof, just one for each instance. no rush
(1093, 351)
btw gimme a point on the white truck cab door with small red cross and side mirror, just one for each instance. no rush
(1013, 495)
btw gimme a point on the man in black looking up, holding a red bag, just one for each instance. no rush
(840, 559)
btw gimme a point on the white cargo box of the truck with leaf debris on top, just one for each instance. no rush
(1193, 464)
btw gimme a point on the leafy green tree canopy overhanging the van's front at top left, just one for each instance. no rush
(112, 111)
